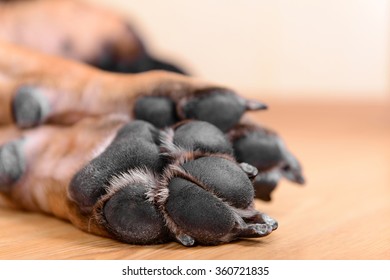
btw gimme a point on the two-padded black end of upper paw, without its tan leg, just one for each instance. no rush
(165, 108)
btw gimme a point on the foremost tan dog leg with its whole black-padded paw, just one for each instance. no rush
(135, 183)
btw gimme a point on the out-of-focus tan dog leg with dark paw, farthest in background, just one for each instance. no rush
(80, 31)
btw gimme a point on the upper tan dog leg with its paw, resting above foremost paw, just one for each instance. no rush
(61, 91)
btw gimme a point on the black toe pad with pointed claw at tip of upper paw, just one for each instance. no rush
(218, 106)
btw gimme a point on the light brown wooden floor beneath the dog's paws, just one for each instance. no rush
(342, 213)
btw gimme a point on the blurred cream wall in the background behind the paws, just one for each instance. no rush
(305, 48)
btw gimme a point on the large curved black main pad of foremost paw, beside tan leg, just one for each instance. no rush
(134, 146)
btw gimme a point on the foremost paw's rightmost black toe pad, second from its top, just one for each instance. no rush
(224, 178)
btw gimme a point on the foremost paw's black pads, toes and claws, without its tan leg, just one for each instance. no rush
(193, 191)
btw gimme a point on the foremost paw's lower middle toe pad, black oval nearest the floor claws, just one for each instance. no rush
(198, 213)
